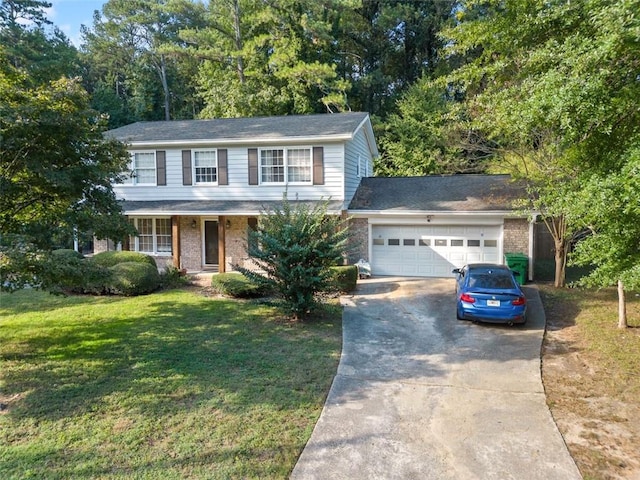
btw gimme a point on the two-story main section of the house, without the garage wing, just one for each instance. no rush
(197, 185)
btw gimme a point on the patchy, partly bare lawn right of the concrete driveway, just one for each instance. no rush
(591, 377)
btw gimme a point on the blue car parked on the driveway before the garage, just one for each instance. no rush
(489, 292)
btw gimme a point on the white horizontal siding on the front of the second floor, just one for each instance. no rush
(238, 176)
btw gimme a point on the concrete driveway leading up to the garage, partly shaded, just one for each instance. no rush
(421, 395)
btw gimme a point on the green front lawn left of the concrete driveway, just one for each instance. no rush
(171, 385)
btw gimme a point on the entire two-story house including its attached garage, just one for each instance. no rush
(198, 185)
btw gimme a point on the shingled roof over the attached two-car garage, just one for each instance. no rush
(455, 193)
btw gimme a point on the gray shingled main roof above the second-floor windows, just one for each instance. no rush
(256, 128)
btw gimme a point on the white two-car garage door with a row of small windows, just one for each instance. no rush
(432, 251)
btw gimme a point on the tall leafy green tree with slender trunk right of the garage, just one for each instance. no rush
(551, 88)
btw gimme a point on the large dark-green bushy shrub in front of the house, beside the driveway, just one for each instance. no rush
(294, 246)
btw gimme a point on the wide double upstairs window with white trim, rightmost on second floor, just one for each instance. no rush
(285, 165)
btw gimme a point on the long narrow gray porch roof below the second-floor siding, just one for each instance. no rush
(209, 207)
